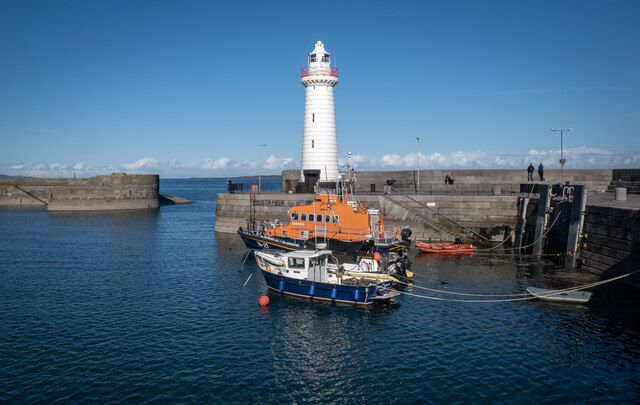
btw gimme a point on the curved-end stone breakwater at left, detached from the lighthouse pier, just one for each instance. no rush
(118, 191)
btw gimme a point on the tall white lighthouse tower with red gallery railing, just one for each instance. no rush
(319, 139)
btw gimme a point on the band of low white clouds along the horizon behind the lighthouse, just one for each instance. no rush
(580, 157)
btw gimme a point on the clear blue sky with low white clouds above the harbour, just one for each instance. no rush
(192, 88)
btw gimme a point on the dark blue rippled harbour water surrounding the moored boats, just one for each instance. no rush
(152, 307)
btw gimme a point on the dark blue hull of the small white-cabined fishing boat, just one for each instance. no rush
(349, 294)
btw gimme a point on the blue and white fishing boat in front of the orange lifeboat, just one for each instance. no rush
(304, 273)
